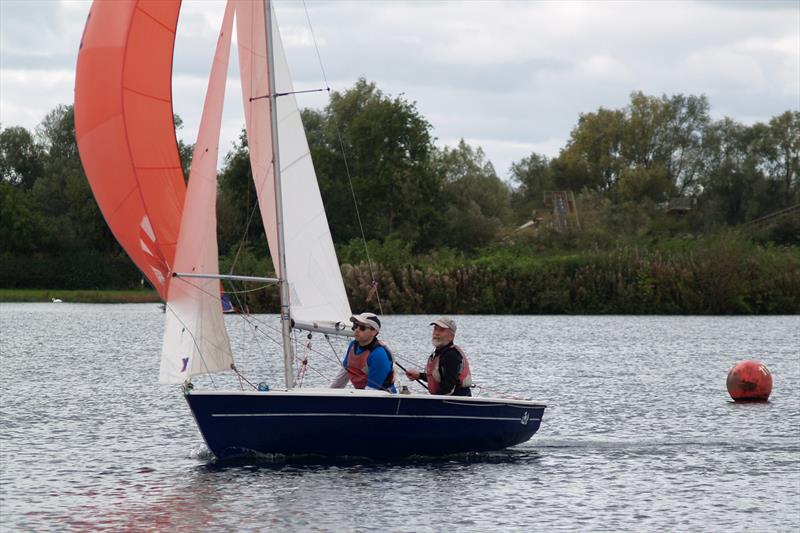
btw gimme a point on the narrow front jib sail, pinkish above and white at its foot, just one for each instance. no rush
(195, 339)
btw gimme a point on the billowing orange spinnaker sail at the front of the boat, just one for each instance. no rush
(125, 131)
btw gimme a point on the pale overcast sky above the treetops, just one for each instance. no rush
(511, 77)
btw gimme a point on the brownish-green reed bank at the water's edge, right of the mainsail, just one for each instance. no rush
(714, 280)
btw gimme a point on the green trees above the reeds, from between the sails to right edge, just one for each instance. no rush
(630, 161)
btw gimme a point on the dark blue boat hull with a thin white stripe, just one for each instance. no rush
(358, 424)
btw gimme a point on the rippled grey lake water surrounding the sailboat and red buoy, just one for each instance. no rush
(639, 435)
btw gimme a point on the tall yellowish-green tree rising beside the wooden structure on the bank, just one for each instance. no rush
(651, 149)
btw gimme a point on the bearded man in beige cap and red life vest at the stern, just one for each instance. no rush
(447, 371)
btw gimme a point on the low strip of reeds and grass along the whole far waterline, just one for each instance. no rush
(725, 275)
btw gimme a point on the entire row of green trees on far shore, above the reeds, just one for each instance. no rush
(426, 201)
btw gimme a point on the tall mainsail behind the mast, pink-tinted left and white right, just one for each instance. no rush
(316, 290)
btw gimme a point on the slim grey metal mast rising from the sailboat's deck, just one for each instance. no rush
(286, 326)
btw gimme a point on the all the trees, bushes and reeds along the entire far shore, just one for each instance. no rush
(652, 208)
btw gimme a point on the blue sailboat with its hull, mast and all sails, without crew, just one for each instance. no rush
(126, 137)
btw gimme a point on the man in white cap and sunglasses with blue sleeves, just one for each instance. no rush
(368, 363)
